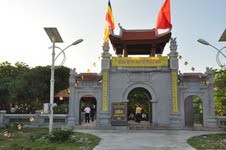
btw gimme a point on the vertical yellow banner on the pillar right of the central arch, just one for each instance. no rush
(174, 92)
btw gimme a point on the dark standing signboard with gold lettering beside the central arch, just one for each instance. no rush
(119, 114)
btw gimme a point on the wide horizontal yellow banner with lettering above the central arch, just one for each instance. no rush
(161, 61)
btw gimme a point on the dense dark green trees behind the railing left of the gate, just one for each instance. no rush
(21, 85)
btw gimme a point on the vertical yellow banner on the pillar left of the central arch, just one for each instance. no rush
(105, 91)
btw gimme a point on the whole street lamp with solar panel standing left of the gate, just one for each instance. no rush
(55, 37)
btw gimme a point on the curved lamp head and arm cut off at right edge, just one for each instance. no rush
(219, 51)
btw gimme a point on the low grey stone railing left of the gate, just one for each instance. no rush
(33, 120)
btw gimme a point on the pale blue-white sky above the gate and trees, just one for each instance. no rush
(24, 39)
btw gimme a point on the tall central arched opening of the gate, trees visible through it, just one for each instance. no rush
(139, 96)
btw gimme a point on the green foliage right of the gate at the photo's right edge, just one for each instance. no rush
(220, 92)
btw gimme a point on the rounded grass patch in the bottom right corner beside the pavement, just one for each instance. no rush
(210, 141)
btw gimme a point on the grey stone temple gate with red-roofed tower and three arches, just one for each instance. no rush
(165, 91)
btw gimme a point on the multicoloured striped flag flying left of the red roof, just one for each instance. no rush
(109, 22)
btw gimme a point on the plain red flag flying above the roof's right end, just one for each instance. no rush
(163, 20)
